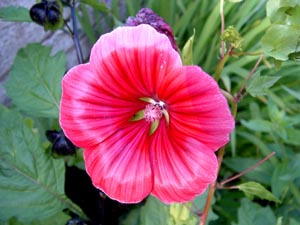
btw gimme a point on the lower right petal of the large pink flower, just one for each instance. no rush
(183, 167)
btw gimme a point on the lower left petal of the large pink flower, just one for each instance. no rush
(120, 165)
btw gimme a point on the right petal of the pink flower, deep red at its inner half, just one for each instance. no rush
(196, 106)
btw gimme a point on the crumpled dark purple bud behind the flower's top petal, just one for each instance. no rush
(147, 16)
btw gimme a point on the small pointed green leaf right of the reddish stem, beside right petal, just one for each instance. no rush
(259, 85)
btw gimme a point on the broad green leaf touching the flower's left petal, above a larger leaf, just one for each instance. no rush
(34, 84)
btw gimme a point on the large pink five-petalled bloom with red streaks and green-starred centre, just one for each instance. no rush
(148, 125)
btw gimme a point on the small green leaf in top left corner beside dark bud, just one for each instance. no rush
(16, 14)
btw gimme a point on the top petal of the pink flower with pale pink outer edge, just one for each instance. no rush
(132, 61)
